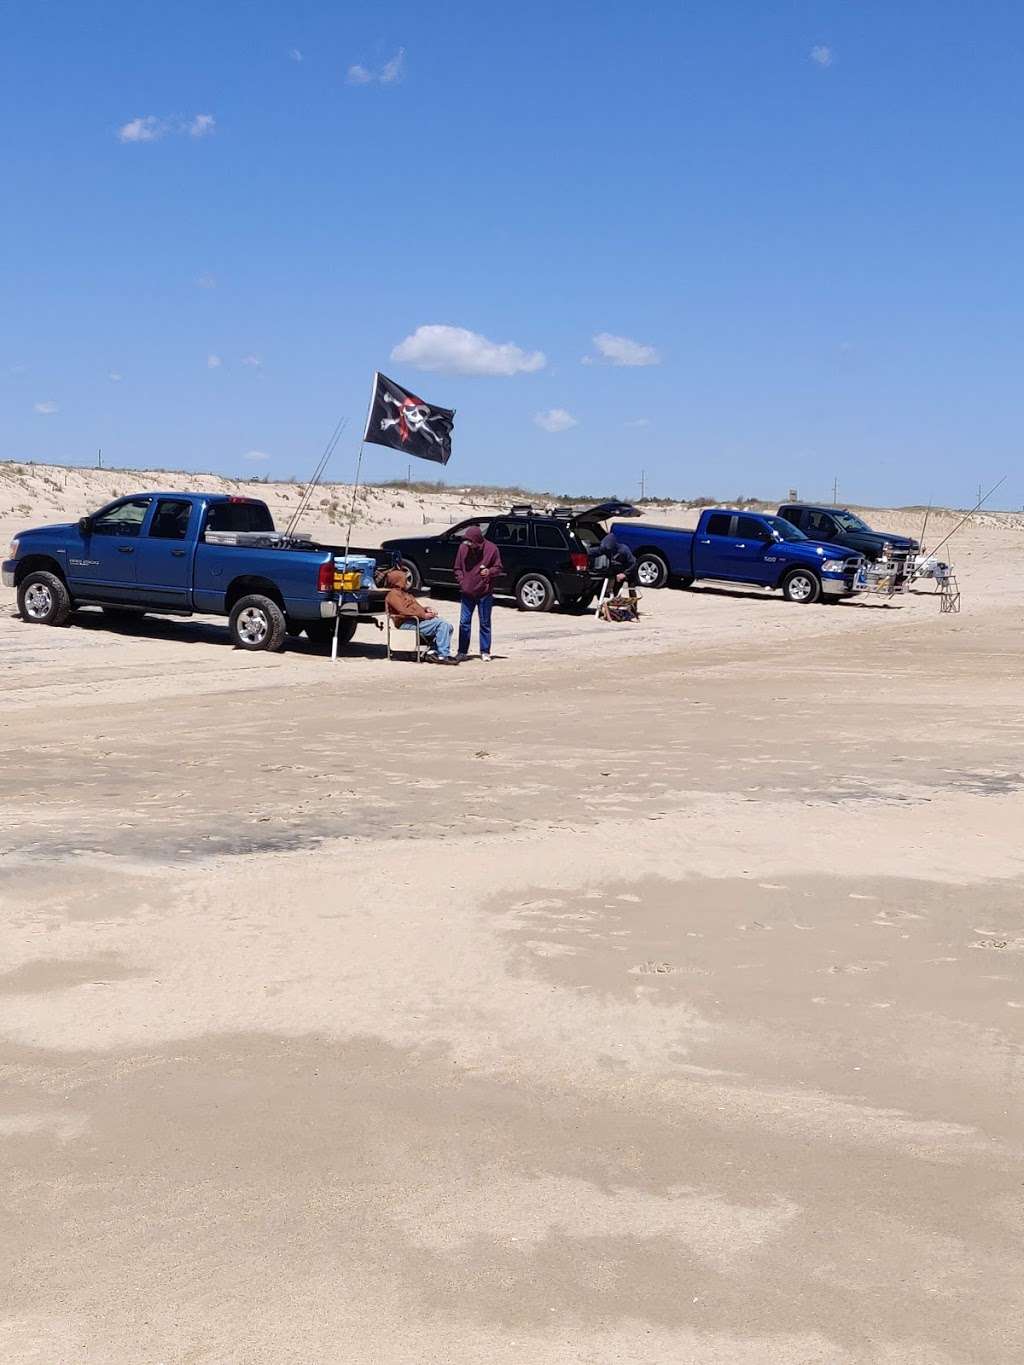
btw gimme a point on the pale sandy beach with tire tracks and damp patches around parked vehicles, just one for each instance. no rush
(653, 996)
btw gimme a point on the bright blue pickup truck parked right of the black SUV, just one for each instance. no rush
(735, 547)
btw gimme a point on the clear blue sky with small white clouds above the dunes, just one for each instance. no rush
(786, 238)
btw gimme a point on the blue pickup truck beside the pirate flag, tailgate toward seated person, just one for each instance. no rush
(181, 554)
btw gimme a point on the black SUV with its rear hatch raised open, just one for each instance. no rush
(547, 556)
